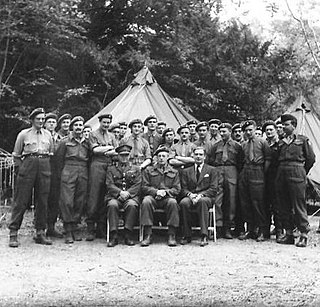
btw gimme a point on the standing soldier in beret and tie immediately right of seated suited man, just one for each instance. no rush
(226, 155)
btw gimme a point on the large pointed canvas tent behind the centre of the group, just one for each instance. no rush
(144, 97)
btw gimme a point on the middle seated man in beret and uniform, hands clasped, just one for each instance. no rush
(160, 187)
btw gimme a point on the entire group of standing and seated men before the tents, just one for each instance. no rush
(253, 177)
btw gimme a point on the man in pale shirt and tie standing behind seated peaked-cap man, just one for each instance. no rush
(140, 154)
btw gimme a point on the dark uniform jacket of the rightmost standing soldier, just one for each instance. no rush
(298, 150)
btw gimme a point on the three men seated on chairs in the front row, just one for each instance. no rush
(161, 188)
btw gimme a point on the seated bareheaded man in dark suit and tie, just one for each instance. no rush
(199, 186)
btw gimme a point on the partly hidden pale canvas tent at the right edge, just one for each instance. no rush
(309, 125)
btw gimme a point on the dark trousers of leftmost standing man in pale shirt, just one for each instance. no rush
(34, 173)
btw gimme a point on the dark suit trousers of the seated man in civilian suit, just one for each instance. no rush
(202, 209)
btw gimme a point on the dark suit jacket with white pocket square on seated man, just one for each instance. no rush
(207, 184)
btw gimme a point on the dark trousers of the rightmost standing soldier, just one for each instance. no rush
(291, 193)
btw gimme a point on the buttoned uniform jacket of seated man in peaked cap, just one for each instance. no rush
(123, 178)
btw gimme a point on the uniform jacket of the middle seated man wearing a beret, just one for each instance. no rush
(154, 179)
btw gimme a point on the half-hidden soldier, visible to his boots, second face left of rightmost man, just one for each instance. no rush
(272, 206)
